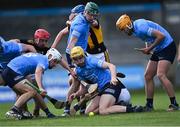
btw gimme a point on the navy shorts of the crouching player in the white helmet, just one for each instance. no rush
(11, 78)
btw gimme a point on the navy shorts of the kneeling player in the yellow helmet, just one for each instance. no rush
(114, 90)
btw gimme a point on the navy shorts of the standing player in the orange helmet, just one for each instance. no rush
(167, 53)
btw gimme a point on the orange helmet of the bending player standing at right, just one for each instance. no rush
(123, 22)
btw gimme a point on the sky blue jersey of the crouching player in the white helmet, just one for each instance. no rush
(27, 63)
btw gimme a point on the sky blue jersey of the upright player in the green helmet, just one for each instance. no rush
(80, 29)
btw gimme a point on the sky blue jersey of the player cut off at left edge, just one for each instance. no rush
(11, 49)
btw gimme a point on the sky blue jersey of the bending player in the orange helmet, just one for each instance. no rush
(143, 29)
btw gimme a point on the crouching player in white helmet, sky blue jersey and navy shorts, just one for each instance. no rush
(15, 73)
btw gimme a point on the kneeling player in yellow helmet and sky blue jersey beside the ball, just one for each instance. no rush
(103, 73)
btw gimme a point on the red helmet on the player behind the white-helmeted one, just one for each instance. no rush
(41, 34)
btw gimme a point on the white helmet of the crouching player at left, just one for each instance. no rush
(54, 54)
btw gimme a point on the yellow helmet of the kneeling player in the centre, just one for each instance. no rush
(77, 51)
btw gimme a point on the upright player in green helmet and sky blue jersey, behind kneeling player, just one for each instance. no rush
(79, 28)
